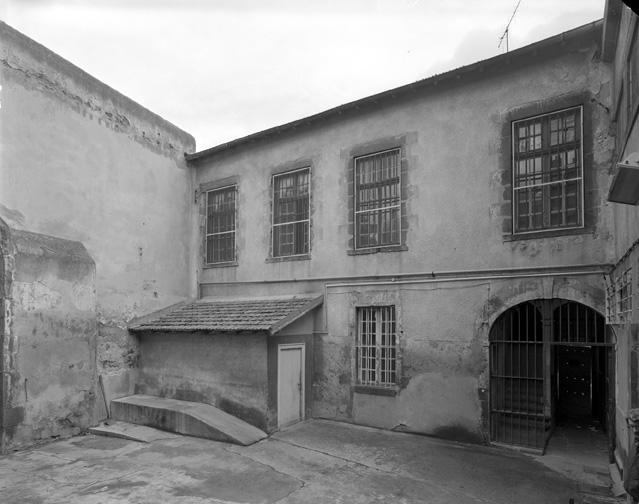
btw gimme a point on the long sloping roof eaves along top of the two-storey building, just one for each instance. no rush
(496, 62)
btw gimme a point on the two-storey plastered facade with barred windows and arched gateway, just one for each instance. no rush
(444, 252)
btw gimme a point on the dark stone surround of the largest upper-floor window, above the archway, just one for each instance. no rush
(541, 107)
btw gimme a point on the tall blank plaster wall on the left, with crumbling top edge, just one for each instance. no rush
(81, 161)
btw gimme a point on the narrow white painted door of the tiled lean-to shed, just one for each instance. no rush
(290, 384)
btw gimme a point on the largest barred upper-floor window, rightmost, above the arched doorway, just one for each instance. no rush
(548, 171)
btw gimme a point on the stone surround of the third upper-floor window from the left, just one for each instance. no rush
(372, 148)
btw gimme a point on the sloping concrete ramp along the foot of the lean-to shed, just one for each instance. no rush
(185, 417)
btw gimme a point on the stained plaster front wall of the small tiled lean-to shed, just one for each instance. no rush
(226, 370)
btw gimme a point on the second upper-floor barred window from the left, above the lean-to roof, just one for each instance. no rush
(291, 213)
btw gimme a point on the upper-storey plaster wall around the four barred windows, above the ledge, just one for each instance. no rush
(457, 148)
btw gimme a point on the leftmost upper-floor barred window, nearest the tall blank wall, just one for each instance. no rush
(220, 225)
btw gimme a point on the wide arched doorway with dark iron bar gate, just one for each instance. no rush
(551, 360)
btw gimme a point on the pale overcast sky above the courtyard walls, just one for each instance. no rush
(222, 69)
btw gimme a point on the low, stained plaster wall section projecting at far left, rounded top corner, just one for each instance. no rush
(51, 366)
